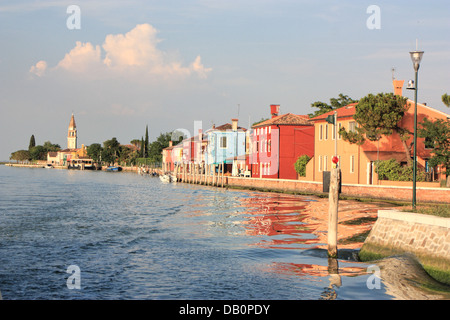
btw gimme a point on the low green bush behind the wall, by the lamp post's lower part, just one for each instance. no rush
(392, 170)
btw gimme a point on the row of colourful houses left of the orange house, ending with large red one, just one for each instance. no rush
(268, 150)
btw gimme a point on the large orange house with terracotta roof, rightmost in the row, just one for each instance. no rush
(357, 162)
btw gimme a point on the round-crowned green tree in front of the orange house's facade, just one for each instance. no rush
(379, 115)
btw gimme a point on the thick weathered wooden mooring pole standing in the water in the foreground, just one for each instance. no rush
(333, 198)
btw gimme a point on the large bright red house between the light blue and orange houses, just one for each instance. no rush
(276, 144)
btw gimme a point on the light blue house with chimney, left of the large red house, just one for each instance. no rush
(226, 145)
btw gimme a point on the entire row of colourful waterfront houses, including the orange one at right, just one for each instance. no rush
(270, 148)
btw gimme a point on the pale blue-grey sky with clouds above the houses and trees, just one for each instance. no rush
(120, 66)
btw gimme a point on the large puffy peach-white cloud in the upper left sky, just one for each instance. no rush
(135, 51)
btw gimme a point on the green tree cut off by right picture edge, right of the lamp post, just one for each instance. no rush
(437, 133)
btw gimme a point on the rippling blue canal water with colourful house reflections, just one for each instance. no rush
(133, 237)
